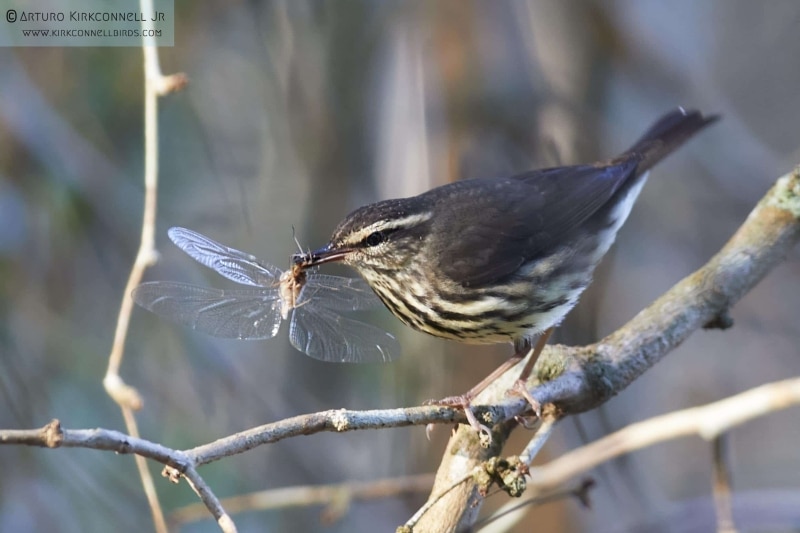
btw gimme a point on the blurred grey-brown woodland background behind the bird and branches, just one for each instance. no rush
(298, 112)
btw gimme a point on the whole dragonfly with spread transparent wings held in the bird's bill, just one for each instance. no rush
(313, 303)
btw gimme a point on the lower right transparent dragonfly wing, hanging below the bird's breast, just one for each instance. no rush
(324, 334)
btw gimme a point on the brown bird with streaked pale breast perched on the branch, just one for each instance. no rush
(485, 261)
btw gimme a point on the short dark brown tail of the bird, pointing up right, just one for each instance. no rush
(666, 135)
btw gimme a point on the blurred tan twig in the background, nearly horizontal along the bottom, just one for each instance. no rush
(337, 497)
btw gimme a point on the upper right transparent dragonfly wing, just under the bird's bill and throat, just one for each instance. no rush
(339, 294)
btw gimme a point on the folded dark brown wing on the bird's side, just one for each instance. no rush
(531, 214)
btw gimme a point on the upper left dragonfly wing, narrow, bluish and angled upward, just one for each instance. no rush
(233, 264)
